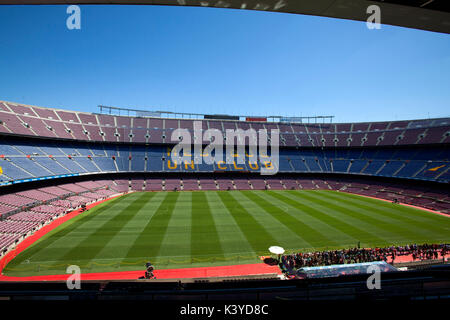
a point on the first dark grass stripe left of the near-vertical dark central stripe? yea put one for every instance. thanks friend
(149, 241)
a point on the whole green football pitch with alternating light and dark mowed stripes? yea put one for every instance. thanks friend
(207, 228)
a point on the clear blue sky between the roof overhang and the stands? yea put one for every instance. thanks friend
(207, 60)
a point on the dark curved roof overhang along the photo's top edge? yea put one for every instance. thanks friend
(431, 15)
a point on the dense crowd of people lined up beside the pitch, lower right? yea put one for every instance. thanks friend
(359, 255)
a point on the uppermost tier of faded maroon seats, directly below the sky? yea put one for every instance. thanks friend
(52, 123)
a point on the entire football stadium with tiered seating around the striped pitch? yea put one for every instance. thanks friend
(111, 194)
